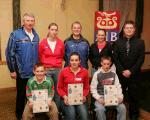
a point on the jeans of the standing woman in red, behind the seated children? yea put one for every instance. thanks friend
(54, 74)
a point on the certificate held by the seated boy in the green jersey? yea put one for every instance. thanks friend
(40, 101)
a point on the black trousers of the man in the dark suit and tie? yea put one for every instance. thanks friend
(130, 88)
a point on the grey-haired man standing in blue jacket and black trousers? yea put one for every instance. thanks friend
(21, 56)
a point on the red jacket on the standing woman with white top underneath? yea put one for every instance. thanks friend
(47, 57)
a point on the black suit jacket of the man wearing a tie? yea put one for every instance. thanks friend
(131, 61)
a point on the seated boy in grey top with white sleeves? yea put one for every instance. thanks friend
(105, 76)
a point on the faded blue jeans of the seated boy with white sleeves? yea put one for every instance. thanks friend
(100, 111)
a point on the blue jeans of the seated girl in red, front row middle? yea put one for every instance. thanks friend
(74, 111)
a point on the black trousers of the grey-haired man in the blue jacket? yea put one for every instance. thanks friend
(21, 95)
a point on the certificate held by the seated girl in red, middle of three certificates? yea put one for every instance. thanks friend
(75, 94)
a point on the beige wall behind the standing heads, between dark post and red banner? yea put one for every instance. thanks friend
(48, 11)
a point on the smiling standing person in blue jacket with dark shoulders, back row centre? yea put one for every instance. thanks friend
(77, 43)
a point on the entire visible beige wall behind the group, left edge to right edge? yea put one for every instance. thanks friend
(47, 11)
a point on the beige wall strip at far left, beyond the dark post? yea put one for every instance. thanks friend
(5, 29)
